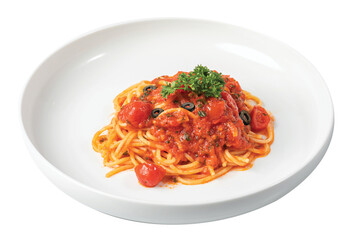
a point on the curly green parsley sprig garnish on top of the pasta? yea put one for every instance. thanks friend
(200, 81)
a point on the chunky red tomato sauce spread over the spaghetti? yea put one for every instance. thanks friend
(218, 125)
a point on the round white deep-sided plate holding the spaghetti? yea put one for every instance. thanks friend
(70, 95)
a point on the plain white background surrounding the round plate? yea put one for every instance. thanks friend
(32, 207)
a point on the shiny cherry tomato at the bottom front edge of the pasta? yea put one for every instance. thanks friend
(149, 174)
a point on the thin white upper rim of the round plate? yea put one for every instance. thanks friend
(323, 143)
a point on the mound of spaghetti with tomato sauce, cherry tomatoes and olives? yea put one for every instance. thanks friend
(189, 137)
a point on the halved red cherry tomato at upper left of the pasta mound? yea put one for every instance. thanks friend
(135, 113)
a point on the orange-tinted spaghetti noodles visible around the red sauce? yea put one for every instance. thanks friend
(123, 146)
